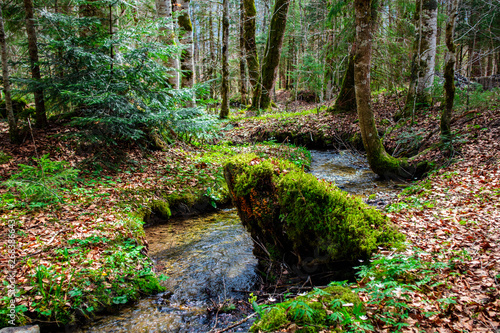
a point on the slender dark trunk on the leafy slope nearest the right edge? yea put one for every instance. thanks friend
(449, 74)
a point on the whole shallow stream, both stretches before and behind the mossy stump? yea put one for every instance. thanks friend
(209, 259)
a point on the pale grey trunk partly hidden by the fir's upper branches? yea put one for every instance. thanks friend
(167, 37)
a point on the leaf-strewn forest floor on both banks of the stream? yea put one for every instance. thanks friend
(78, 253)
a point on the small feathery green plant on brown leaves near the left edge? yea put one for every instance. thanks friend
(42, 182)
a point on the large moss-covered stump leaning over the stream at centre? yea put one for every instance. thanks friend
(305, 222)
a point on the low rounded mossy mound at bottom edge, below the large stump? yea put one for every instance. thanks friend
(328, 309)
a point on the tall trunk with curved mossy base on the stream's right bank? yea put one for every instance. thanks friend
(380, 162)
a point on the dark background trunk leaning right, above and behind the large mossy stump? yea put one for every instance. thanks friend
(262, 96)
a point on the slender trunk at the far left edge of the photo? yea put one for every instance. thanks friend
(13, 131)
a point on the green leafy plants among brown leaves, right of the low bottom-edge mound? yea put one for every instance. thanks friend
(391, 283)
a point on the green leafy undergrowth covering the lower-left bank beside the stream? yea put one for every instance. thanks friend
(83, 276)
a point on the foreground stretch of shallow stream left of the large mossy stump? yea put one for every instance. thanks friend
(206, 258)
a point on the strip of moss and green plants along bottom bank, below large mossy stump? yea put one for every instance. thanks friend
(388, 285)
